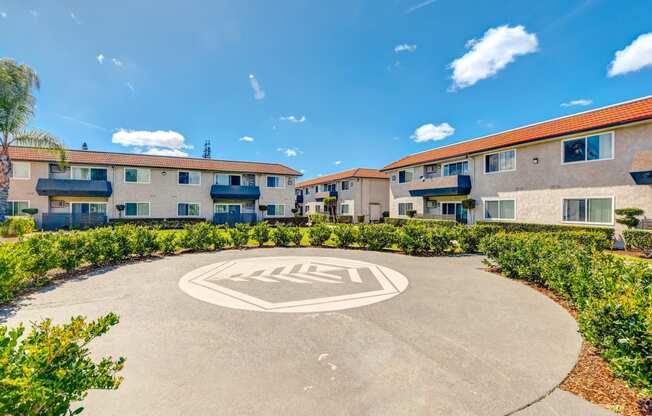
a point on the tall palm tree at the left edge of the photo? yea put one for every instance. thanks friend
(17, 105)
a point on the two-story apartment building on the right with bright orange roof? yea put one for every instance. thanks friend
(570, 170)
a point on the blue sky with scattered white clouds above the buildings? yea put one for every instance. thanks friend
(320, 86)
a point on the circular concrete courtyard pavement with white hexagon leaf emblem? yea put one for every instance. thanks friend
(453, 340)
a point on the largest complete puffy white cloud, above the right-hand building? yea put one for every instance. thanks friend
(498, 47)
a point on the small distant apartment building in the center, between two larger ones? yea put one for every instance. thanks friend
(359, 192)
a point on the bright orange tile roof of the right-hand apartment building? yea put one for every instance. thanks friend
(618, 114)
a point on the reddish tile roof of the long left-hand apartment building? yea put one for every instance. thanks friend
(126, 159)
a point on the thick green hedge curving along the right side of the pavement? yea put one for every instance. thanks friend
(613, 297)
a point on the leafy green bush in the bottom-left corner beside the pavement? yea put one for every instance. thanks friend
(48, 369)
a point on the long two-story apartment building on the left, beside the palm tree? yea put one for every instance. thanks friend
(103, 185)
